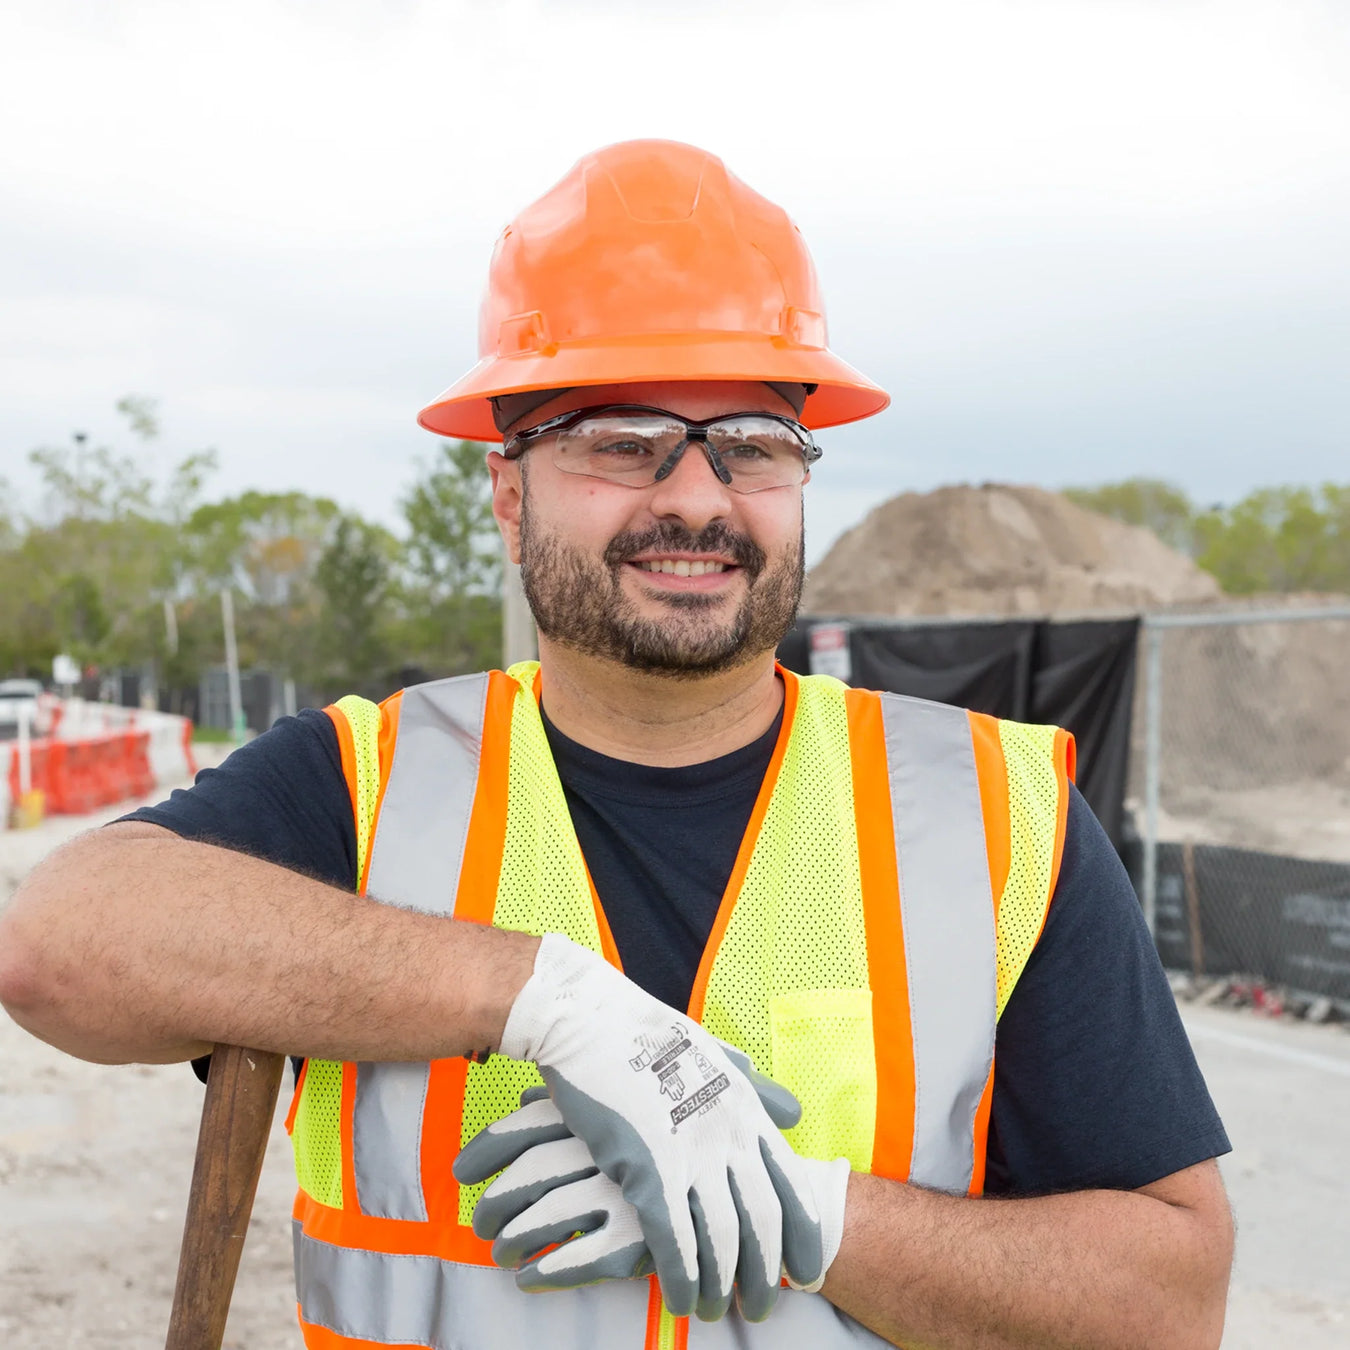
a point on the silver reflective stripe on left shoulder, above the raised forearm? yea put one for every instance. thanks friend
(419, 844)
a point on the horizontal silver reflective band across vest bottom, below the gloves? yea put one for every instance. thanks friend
(448, 1306)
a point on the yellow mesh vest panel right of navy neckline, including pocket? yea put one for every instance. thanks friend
(790, 979)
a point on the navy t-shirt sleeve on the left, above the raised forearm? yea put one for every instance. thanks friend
(283, 797)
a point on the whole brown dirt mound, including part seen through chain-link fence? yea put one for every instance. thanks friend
(1256, 718)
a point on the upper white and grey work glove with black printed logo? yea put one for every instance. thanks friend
(669, 1118)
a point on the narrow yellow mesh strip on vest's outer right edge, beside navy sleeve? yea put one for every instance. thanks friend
(1033, 819)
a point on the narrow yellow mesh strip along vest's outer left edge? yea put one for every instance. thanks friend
(317, 1136)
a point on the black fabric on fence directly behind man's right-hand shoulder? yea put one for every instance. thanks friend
(1078, 676)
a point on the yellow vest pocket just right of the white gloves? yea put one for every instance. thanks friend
(824, 1052)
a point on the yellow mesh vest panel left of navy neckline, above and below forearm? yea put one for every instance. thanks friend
(543, 889)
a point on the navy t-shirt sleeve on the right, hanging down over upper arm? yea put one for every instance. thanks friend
(1096, 1085)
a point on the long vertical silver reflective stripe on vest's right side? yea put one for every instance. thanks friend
(947, 908)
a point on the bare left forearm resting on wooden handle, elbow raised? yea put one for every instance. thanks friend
(132, 944)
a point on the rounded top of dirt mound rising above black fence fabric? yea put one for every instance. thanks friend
(998, 550)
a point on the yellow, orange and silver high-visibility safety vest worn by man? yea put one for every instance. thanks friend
(890, 888)
